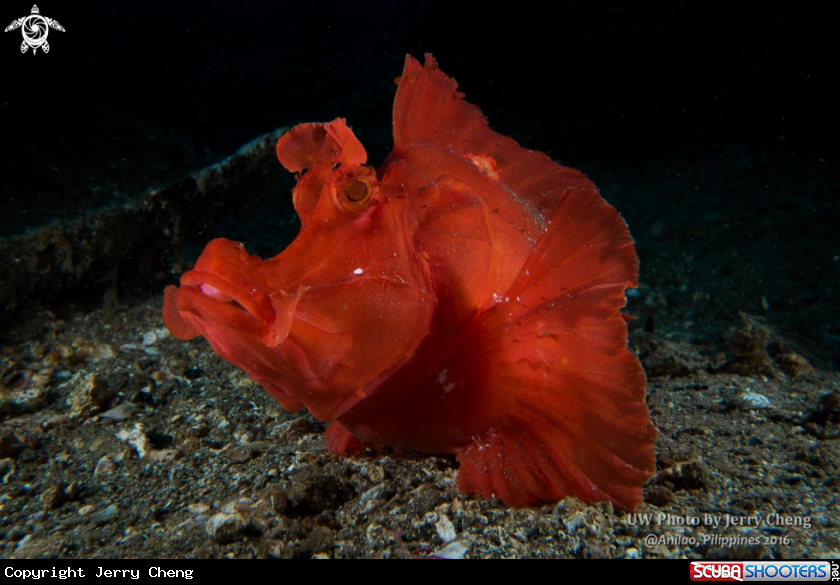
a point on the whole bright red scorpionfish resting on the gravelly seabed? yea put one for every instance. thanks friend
(464, 298)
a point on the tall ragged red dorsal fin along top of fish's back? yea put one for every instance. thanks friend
(429, 111)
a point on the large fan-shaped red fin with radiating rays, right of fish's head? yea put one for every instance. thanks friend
(565, 412)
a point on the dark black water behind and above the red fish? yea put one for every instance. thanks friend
(712, 129)
